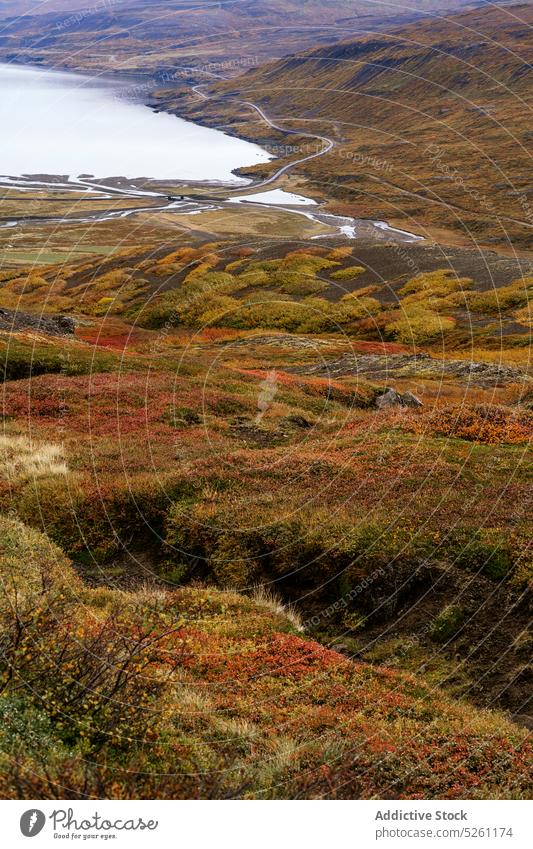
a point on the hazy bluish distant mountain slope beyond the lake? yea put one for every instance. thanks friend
(153, 35)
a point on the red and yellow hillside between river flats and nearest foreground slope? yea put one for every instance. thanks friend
(223, 418)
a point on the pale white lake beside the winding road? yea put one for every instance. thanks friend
(56, 123)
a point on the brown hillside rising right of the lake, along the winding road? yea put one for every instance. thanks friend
(428, 122)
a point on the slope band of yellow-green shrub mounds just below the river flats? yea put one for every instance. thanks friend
(448, 301)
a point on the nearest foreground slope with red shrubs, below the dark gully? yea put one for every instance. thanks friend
(234, 702)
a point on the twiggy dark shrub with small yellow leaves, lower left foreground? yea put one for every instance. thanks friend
(110, 688)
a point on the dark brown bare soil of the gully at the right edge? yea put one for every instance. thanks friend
(490, 648)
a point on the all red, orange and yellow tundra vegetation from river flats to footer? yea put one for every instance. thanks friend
(226, 570)
